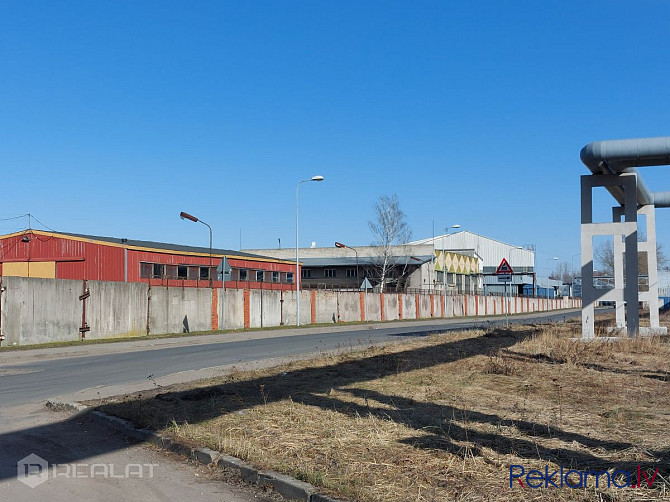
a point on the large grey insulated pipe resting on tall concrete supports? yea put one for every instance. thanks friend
(619, 156)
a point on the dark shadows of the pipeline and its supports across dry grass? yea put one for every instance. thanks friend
(447, 425)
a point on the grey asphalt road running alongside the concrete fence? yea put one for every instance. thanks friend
(29, 380)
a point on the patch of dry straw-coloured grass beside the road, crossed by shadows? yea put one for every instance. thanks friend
(440, 418)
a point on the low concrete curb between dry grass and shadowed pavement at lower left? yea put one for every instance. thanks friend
(287, 486)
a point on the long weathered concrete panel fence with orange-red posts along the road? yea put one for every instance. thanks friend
(48, 310)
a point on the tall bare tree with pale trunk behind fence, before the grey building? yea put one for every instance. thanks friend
(389, 229)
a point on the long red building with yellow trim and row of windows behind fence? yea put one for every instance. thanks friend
(57, 255)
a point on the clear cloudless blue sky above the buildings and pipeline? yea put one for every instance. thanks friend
(116, 115)
